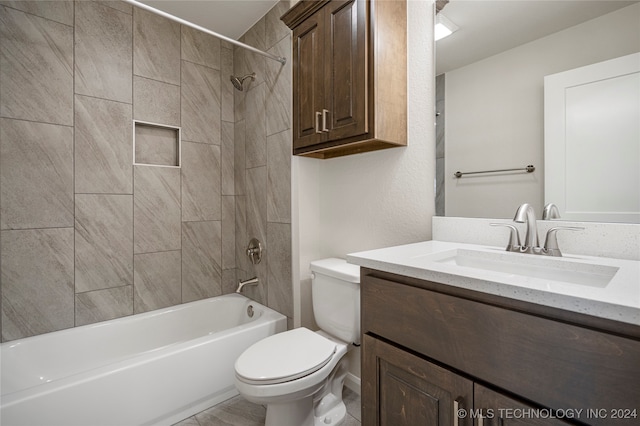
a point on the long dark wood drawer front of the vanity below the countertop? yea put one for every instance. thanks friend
(558, 365)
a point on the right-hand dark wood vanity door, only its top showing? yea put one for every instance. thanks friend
(500, 410)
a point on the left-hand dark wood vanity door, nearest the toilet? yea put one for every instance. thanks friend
(402, 389)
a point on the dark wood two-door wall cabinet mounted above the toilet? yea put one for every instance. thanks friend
(349, 76)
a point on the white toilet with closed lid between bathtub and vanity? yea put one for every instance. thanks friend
(299, 374)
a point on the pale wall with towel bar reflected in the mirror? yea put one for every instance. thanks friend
(494, 119)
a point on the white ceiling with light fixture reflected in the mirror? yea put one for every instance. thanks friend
(488, 27)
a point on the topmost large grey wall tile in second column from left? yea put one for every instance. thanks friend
(103, 55)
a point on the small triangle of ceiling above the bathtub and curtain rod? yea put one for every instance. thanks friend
(231, 18)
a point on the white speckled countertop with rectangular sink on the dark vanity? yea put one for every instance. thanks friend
(611, 289)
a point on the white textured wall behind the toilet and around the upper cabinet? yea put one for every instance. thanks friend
(376, 199)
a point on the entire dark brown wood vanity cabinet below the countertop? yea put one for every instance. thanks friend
(434, 354)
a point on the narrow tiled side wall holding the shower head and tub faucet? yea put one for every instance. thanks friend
(263, 159)
